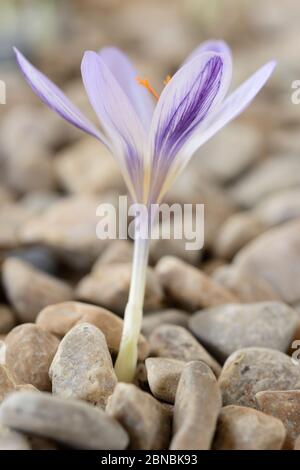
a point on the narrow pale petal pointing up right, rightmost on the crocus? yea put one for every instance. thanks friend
(232, 106)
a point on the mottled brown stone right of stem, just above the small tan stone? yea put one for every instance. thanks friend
(175, 342)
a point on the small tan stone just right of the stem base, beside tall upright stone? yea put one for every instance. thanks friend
(163, 376)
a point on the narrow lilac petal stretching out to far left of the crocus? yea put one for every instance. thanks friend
(53, 97)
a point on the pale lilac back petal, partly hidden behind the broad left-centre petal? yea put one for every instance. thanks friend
(124, 73)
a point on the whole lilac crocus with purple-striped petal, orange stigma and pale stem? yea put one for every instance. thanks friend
(152, 142)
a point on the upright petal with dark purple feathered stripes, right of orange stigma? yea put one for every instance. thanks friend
(187, 101)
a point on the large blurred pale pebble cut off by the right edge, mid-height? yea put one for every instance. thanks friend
(281, 271)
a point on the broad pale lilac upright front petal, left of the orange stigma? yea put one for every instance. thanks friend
(117, 116)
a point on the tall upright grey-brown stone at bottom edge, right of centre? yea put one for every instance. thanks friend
(197, 405)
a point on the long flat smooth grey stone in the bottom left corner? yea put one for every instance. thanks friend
(71, 422)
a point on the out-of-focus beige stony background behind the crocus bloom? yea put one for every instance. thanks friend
(52, 176)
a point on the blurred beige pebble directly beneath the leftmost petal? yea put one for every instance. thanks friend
(86, 167)
